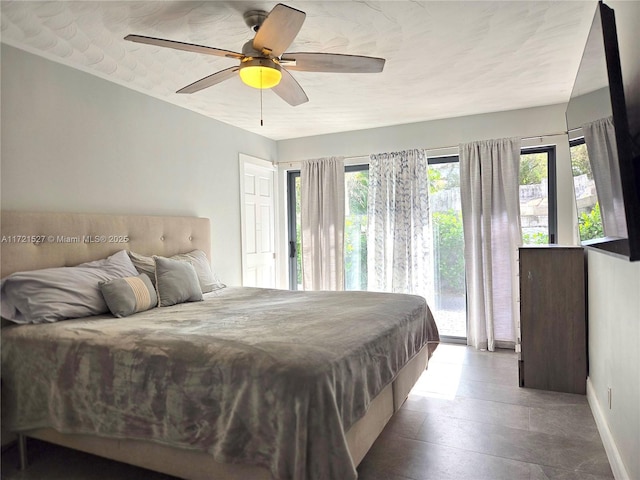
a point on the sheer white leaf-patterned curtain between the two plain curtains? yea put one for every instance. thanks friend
(399, 245)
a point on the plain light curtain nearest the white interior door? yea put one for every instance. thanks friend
(322, 218)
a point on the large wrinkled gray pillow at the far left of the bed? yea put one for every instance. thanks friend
(54, 294)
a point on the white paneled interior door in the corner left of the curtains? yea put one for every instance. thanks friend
(258, 222)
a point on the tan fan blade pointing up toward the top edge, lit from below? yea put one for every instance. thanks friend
(278, 30)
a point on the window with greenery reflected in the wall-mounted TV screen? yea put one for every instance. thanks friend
(589, 220)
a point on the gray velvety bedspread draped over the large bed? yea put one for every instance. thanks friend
(267, 377)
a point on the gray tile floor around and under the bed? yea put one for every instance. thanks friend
(465, 419)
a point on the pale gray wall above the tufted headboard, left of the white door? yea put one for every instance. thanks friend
(74, 142)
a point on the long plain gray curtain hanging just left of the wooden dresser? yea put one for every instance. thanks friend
(489, 182)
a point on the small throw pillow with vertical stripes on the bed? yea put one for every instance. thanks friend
(129, 295)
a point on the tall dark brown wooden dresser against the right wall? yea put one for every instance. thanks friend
(553, 335)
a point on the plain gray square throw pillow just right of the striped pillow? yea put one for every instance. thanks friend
(176, 282)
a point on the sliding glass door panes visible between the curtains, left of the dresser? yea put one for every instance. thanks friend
(448, 304)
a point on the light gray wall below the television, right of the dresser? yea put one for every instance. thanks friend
(614, 357)
